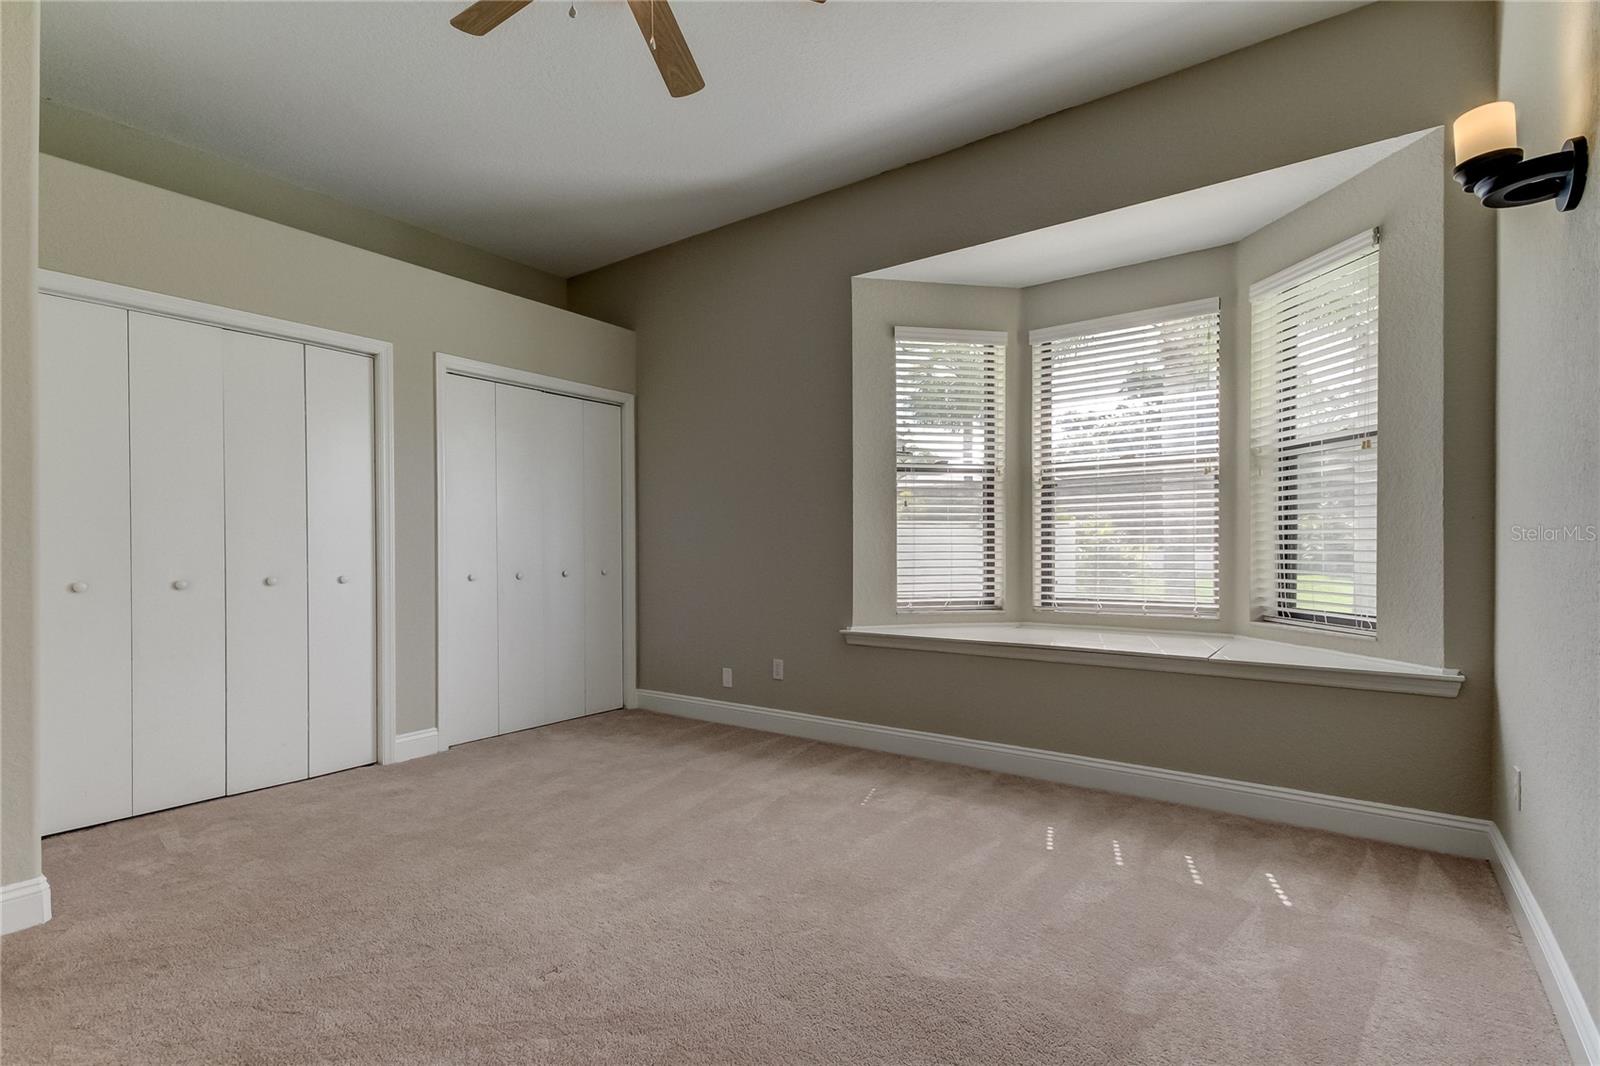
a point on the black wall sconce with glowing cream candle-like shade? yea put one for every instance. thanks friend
(1490, 166)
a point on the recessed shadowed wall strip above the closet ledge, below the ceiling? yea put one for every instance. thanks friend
(106, 145)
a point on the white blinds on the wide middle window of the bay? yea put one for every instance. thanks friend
(1126, 463)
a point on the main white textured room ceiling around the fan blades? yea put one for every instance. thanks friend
(554, 142)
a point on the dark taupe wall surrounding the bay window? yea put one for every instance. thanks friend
(746, 422)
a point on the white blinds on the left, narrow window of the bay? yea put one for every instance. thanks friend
(950, 415)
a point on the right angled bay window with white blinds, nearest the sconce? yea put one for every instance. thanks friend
(1314, 441)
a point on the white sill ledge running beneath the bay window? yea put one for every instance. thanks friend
(1218, 655)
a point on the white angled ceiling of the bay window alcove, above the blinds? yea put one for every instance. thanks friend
(1156, 230)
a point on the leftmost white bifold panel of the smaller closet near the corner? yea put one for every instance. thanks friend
(470, 675)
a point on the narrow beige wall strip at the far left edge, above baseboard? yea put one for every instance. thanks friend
(18, 252)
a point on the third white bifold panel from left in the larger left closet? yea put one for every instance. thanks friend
(265, 459)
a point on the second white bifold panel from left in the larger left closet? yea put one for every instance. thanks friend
(175, 403)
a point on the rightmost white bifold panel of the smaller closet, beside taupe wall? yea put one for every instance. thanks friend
(604, 566)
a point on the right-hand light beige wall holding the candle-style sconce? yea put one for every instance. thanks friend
(1546, 644)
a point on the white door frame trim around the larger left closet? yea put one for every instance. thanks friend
(383, 356)
